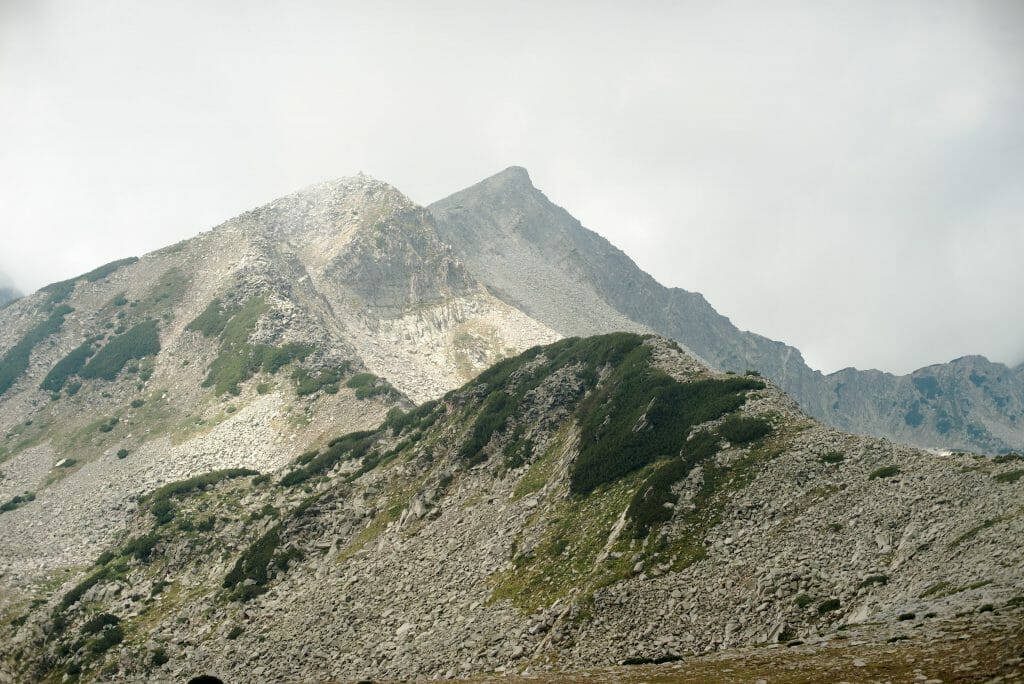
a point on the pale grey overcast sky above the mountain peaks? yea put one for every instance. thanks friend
(845, 177)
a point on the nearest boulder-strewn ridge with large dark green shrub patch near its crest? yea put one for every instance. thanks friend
(588, 503)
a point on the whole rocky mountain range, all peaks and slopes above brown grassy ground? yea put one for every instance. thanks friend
(400, 443)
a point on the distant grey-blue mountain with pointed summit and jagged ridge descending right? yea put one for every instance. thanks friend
(536, 256)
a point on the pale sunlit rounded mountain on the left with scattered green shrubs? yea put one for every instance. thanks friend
(309, 317)
